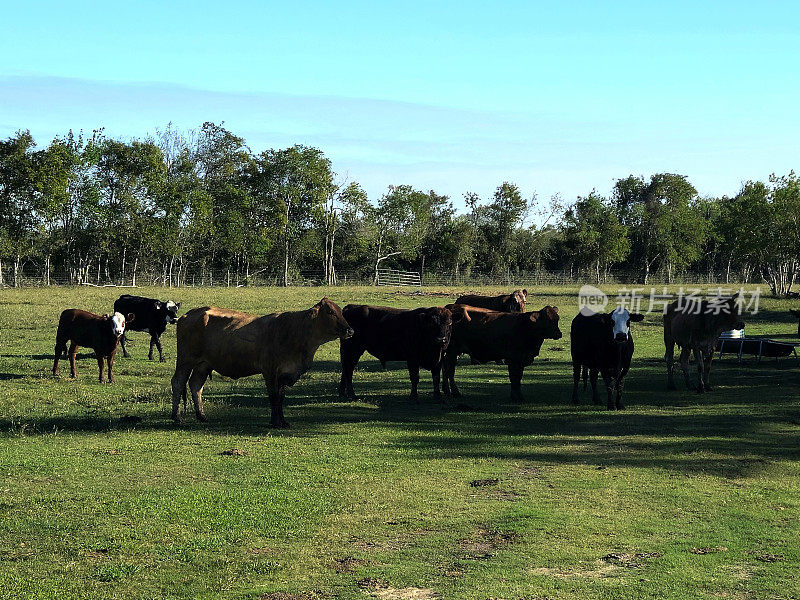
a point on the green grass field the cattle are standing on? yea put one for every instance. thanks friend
(679, 496)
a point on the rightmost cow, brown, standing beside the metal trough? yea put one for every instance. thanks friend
(695, 326)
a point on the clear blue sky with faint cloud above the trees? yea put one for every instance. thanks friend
(454, 96)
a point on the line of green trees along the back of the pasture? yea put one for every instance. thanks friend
(202, 203)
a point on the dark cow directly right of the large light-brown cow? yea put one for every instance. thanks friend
(418, 337)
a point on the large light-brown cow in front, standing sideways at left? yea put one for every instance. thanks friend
(280, 346)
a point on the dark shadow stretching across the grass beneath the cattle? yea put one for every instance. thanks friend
(752, 420)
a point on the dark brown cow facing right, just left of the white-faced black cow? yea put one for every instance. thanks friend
(488, 335)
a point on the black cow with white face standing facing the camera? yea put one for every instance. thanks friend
(602, 342)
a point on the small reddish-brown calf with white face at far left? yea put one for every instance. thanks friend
(99, 332)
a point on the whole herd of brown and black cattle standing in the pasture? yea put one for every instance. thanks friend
(281, 346)
